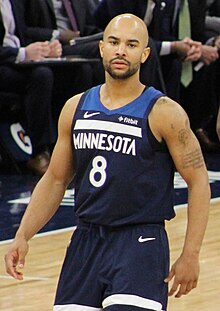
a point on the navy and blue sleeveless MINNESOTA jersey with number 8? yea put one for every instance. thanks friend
(120, 178)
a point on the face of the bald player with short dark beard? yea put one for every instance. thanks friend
(123, 49)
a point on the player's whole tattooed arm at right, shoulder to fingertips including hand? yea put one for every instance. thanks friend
(188, 159)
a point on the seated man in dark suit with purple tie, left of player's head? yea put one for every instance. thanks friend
(51, 19)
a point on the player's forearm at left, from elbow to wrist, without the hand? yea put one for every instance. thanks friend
(44, 202)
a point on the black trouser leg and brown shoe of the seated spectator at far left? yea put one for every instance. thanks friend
(35, 88)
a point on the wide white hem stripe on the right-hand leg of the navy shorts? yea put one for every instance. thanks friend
(132, 300)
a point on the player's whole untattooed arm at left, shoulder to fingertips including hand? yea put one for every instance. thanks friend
(47, 194)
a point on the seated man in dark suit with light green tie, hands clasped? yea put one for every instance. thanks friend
(197, 96)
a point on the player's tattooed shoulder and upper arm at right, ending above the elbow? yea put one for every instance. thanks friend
(169, 122)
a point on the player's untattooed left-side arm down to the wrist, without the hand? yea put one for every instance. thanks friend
(49, 191)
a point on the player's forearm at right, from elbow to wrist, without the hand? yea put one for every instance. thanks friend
(198, 210)
